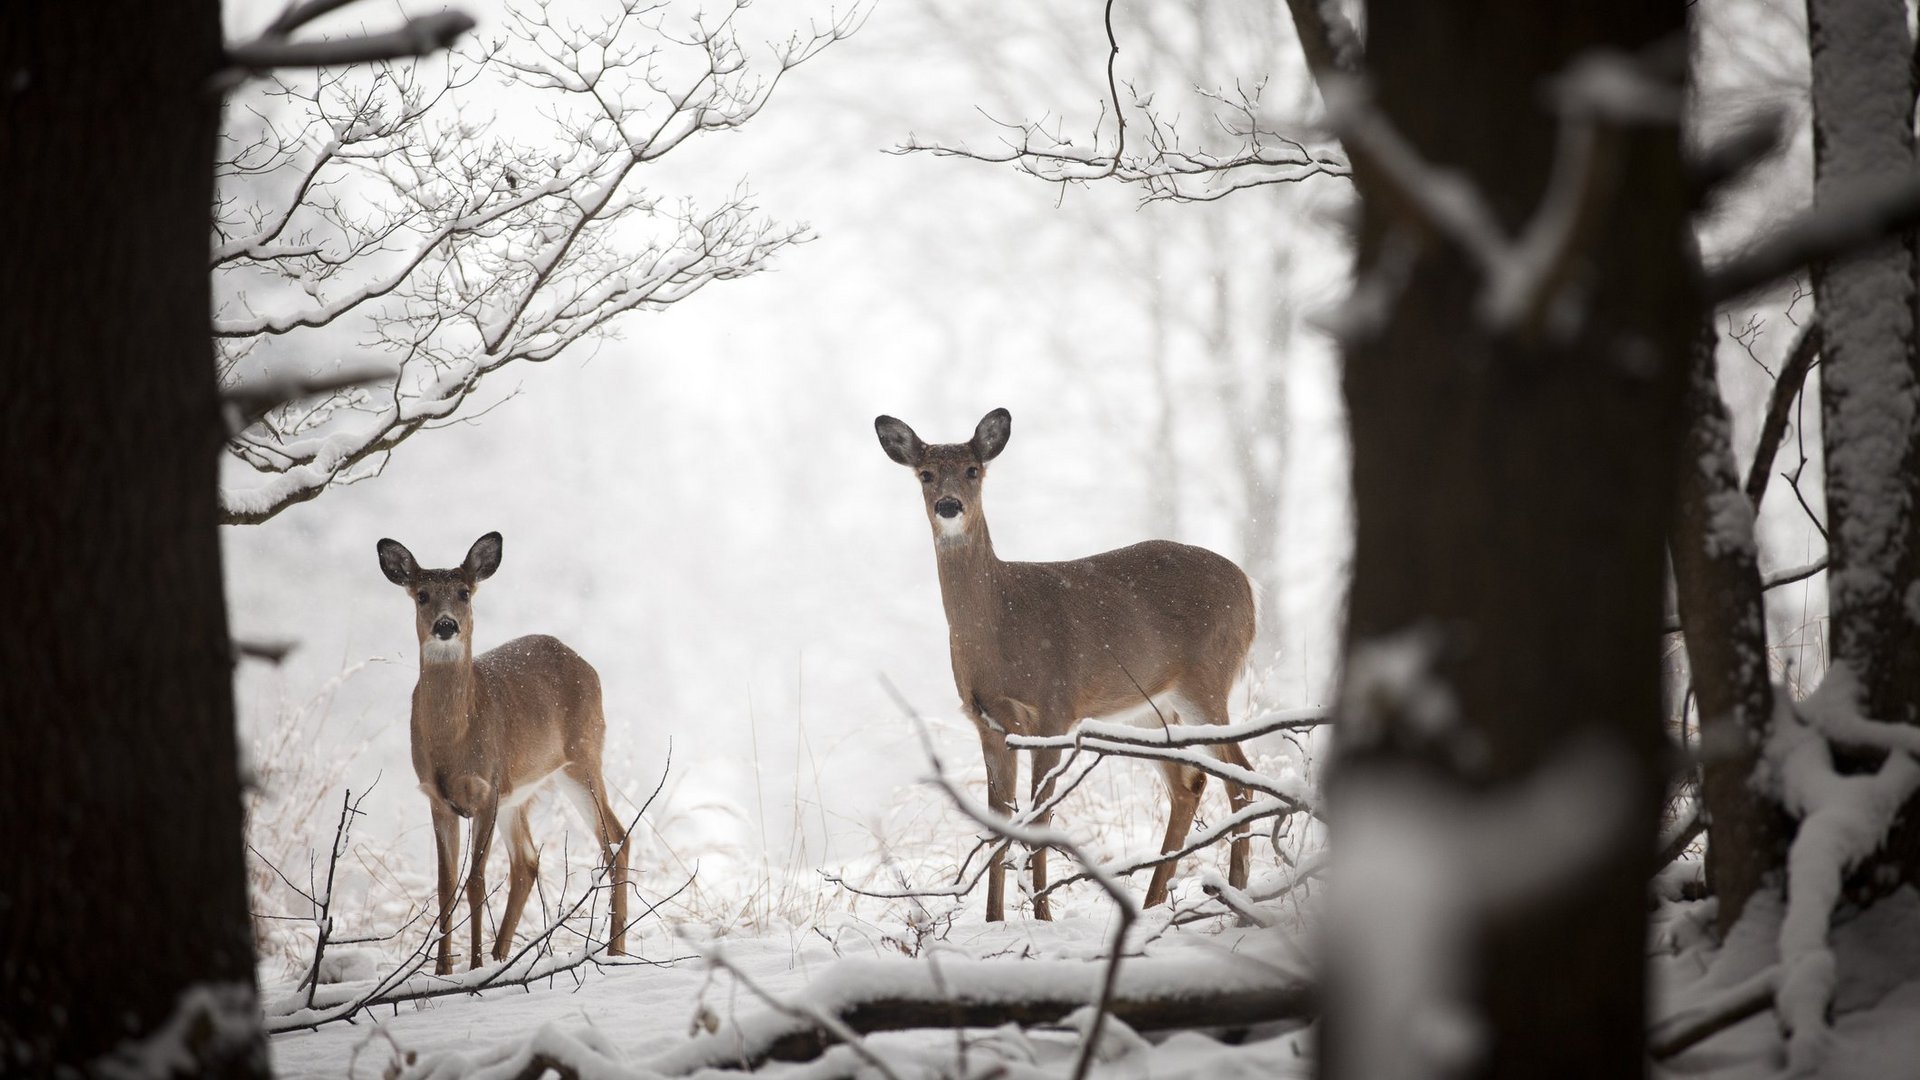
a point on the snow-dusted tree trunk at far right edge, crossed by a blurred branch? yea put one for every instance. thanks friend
(1869, 395)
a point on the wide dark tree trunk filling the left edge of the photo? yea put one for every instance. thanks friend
(124, 923)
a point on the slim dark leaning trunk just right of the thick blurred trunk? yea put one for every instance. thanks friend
(1721, 612)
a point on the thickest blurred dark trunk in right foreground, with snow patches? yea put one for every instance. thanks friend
(1512, 503)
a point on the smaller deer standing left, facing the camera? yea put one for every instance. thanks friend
(491, 731)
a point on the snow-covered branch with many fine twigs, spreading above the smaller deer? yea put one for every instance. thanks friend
(370, 212)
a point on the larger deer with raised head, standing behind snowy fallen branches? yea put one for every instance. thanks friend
(1157, 631)
